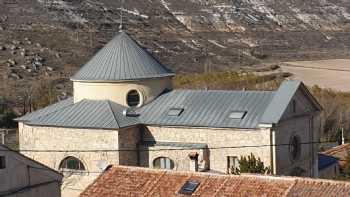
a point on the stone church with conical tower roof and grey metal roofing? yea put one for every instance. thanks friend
(124, 111)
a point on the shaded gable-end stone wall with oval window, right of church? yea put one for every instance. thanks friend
(298, 120)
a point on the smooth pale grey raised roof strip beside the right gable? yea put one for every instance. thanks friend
(280, 101)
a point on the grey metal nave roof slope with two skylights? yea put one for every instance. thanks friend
(207, 108)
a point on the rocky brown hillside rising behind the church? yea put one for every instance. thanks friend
(52, 38)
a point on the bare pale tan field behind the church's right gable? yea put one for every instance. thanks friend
(333, 73)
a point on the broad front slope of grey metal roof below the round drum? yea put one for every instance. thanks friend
(100, 114)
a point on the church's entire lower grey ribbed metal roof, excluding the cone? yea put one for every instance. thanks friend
(199, 108)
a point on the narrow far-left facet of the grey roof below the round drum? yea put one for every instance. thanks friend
(47, 110)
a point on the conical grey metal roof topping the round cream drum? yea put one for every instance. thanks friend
(121, 59)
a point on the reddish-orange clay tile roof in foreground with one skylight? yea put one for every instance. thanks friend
(136, 181)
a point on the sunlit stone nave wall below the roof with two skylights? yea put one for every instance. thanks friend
(213, 138)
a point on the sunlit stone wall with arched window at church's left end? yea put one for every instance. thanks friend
(61, 139)
